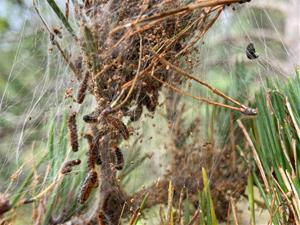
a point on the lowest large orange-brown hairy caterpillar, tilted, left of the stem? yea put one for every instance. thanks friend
(89, 183)
